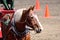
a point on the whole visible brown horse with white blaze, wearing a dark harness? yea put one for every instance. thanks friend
(17, 30)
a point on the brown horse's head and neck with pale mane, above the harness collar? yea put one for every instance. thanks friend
(24, 17)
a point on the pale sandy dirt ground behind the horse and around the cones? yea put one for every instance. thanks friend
(51, 25)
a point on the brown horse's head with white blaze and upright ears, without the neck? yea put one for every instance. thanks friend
(33, 21)
